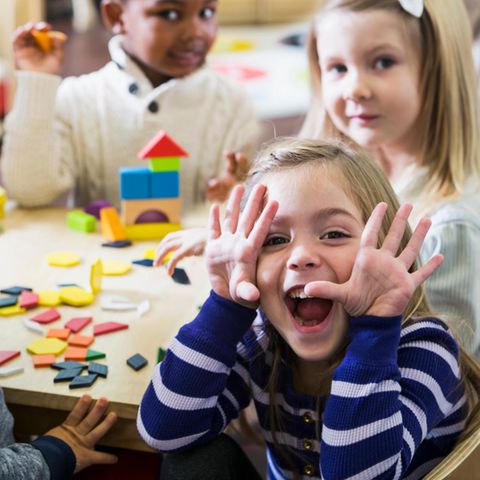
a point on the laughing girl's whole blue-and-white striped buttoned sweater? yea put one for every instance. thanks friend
(395, 395)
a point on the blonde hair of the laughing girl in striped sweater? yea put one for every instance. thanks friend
(366, 185)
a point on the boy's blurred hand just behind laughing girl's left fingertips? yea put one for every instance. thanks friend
(234, 171)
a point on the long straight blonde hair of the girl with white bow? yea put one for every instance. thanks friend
(450, 148)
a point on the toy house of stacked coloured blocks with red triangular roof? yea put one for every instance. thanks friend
(150, 196)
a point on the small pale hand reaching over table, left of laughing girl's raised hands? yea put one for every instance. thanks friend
(181, 244)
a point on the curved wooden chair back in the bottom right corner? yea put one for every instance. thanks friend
(463, 463)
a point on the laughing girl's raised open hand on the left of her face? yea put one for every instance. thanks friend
(234, 245)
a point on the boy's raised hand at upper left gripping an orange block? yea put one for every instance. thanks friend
(31, 54)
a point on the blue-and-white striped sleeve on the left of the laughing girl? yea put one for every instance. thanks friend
(198, 388)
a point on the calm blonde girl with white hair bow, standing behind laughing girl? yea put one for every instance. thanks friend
(397, 78)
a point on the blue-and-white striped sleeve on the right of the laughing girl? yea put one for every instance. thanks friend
(392, 391)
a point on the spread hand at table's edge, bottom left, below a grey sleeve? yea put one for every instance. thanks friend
(83, 429)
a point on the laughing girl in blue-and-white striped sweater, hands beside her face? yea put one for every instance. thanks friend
(350, 374)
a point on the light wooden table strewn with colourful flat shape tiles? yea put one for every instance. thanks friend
(36, 402)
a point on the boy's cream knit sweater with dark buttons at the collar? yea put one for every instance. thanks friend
(77, 133)
